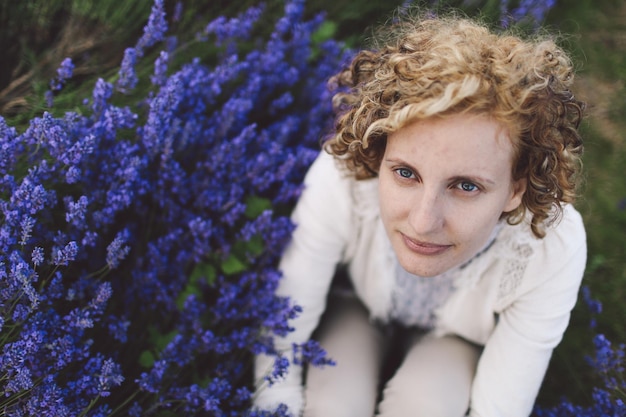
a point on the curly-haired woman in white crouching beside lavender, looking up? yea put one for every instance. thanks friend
(445, 192)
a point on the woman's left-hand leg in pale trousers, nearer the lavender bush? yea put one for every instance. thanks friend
(349, 388)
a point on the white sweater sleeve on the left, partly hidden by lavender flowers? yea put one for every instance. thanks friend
(323, 226)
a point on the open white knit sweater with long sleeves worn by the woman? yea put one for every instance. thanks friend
(515, 299)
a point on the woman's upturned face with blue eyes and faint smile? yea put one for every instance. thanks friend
(443, 184)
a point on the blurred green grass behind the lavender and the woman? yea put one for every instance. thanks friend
(36, 35)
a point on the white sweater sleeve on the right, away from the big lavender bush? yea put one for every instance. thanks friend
(517, 353)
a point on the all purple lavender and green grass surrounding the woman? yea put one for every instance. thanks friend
(147, 175)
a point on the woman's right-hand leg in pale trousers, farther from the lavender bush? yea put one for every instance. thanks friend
(434, 380)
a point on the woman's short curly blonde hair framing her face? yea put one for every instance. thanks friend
(438, 66)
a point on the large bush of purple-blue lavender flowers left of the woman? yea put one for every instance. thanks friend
(140, 241)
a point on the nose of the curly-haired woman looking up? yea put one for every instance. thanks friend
(427, 212)
